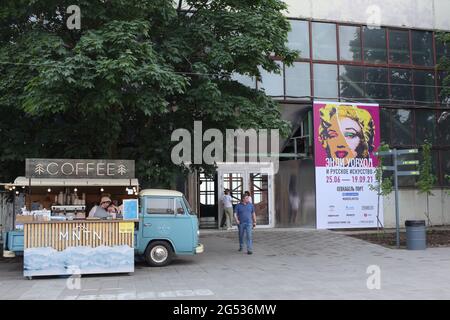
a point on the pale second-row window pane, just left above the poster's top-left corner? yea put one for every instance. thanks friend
(298, 82)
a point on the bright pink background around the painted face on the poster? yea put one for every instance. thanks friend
(320, 154)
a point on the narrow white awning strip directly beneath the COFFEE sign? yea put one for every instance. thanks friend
(35, 182)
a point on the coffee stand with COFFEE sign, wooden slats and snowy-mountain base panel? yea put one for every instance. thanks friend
(54, 228)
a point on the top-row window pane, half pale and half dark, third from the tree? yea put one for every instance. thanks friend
(350, 43)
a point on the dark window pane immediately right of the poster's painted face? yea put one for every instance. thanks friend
(402, 128)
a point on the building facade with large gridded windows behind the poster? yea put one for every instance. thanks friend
(377, 51)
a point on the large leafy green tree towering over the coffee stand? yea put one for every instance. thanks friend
(137, 70)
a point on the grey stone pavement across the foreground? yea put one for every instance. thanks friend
(286, 264)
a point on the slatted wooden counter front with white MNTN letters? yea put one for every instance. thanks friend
(60, 235)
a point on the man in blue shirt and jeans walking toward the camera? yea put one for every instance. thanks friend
(246, 220)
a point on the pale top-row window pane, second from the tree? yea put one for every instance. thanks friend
(324, 41)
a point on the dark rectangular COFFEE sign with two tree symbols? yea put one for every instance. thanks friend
(79, 169)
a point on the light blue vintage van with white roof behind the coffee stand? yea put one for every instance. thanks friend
(167, 227)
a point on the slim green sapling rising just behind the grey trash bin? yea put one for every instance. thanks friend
(427, 179)
